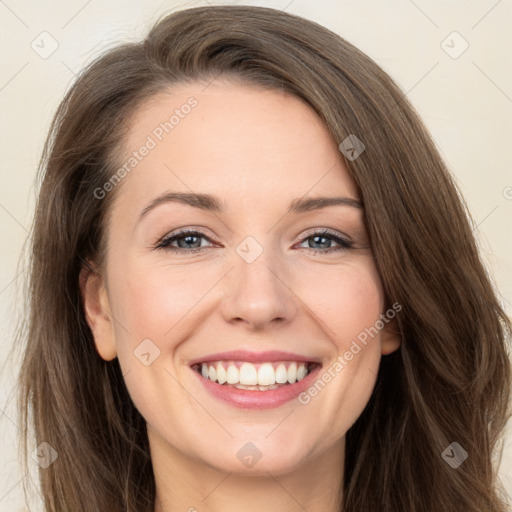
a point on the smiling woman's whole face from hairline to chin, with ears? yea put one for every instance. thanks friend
(281, 286)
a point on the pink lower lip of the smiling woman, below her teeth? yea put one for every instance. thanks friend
(252, 399)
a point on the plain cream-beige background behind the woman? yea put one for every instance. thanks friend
(466, 102)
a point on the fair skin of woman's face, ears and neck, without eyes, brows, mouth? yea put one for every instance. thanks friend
(256, 150)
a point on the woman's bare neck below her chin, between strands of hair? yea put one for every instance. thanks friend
(190, 485)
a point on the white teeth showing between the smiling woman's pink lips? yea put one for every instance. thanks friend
(255, 376)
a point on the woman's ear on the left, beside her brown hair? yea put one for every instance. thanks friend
(97, 311)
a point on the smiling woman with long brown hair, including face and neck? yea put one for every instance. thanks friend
(255, 287)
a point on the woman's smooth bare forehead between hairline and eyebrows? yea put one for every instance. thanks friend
(233, 141)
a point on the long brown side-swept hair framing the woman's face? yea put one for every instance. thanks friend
(449, 381)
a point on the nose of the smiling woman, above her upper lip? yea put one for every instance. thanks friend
(257, 295)
